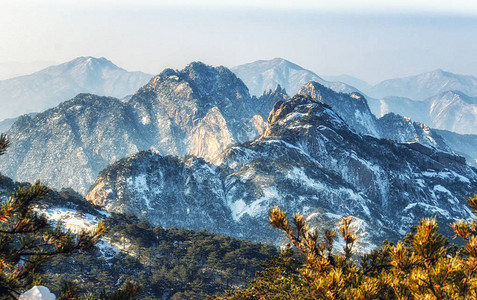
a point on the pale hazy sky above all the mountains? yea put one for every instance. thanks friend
(373, 40)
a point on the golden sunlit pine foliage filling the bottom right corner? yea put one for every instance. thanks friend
(424, 265)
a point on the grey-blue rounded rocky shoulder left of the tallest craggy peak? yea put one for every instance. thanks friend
(67, 146)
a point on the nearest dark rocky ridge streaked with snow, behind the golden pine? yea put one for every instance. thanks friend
(308, 161)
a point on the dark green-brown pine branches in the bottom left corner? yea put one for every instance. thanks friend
(27, 240)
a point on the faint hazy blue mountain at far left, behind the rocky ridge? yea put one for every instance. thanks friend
(47, 88)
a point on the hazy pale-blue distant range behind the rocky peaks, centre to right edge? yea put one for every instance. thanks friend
(438, 99)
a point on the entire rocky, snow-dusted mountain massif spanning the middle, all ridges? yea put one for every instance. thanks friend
(192, 148)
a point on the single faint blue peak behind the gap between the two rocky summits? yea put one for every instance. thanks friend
(263, 75)
